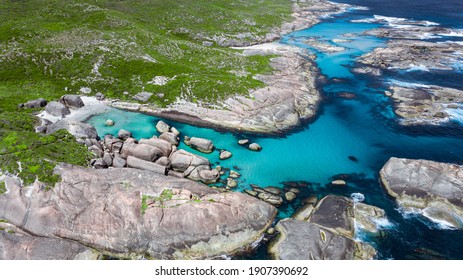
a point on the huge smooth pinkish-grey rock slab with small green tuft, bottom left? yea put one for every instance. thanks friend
(127, 213)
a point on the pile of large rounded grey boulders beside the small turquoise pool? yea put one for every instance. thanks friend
(156, 154)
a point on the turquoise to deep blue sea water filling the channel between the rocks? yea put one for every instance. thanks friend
(364, 129)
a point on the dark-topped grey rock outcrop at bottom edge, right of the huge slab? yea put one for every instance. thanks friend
(327, 231)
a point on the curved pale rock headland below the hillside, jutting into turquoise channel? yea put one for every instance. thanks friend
(290, 96)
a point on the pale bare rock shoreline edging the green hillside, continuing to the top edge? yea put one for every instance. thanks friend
(290, 96)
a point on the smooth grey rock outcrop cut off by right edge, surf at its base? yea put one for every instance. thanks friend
(434, 188)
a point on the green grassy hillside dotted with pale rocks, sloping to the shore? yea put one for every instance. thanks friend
(120, 48)
